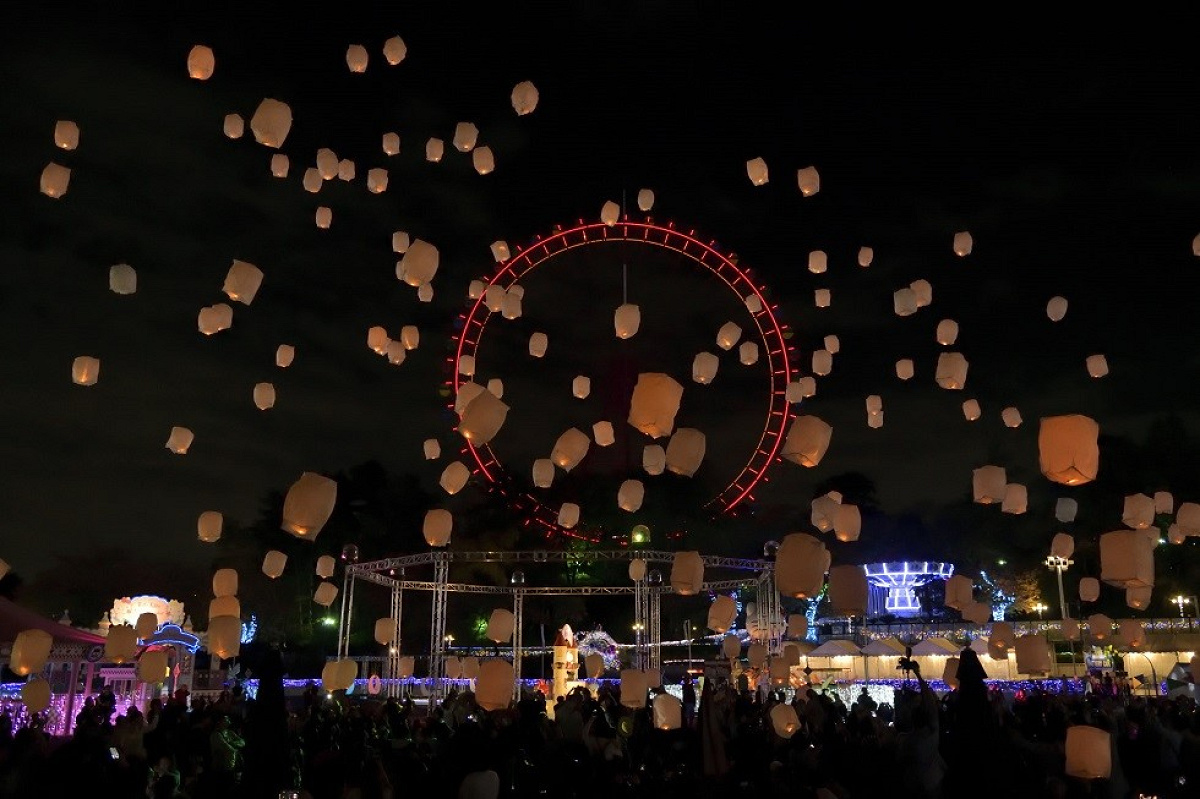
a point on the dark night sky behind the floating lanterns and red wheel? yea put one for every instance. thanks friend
(1075, 169)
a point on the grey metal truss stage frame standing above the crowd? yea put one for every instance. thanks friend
(647, 593)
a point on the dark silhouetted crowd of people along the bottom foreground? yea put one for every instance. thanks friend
(973, 742)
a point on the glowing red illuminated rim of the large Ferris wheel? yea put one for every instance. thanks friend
(772, 335)
